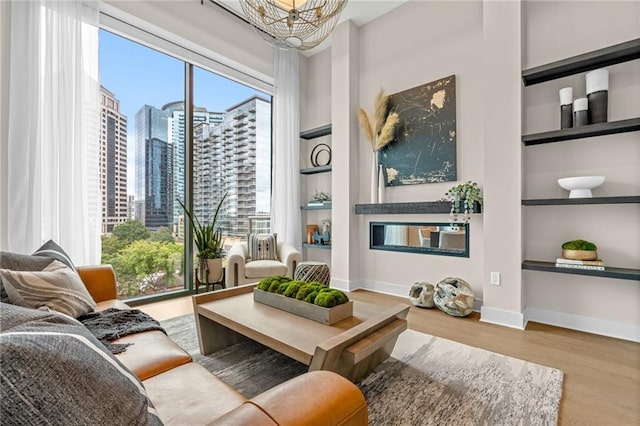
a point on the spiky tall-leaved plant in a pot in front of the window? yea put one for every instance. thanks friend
(208, 240)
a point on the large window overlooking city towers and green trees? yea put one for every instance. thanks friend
(145, 141)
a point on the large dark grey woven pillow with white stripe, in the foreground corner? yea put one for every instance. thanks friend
(55, 372)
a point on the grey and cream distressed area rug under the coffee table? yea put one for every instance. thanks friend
(427, 381)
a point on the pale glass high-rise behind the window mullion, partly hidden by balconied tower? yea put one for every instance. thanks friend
(177, 138)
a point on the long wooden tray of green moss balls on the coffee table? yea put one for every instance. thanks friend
(314, 301)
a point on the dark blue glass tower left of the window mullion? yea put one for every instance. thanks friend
(154, 169)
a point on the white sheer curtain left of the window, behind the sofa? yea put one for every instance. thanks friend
(53, 139)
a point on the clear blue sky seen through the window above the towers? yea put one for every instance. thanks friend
(138, 75)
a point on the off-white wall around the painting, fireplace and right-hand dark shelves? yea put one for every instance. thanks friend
(486, 47)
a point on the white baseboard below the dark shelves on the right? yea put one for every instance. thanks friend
(619, 330)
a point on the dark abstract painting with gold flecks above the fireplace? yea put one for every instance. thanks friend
(424, 148)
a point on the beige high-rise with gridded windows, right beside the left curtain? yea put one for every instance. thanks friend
(113, 162)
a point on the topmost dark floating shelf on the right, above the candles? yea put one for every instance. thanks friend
(611, 55)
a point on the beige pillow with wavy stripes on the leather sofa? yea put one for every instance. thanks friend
(56, 287)
